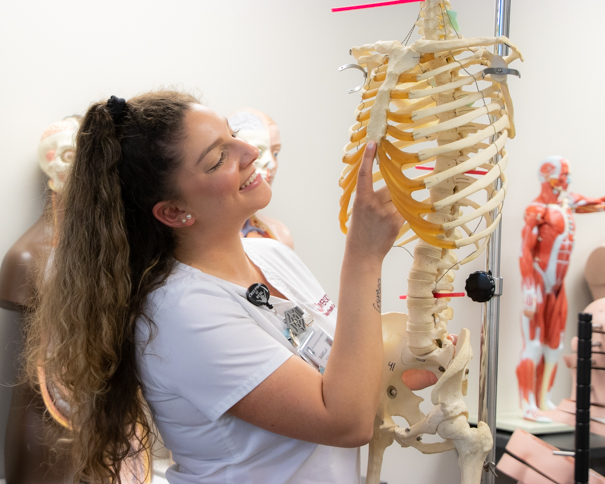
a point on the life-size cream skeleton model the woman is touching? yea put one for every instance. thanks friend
(425, 109)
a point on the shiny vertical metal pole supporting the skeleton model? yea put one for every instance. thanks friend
(491, 313)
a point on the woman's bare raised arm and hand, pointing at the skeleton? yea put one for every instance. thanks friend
(338, 408)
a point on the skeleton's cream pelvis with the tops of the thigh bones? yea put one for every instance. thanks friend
(448, 416)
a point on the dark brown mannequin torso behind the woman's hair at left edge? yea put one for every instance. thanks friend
(28, 460)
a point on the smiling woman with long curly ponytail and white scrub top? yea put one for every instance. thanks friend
(147, 291)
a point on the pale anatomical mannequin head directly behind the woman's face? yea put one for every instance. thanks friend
(259, 130)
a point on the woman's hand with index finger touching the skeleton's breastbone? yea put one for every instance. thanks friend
(375, 222)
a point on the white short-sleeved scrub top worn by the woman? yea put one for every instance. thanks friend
(211, 348)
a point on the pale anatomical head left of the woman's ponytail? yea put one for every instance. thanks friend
(57, 149)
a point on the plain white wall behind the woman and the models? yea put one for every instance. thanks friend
(282, 58)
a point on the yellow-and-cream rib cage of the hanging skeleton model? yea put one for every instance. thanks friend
(419, 107)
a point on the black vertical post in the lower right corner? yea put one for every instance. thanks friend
(582, 459)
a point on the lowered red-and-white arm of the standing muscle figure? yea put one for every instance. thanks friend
(534, 216)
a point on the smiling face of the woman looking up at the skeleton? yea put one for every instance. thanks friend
(217, 181)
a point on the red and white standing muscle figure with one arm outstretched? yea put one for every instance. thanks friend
(548, 237)
